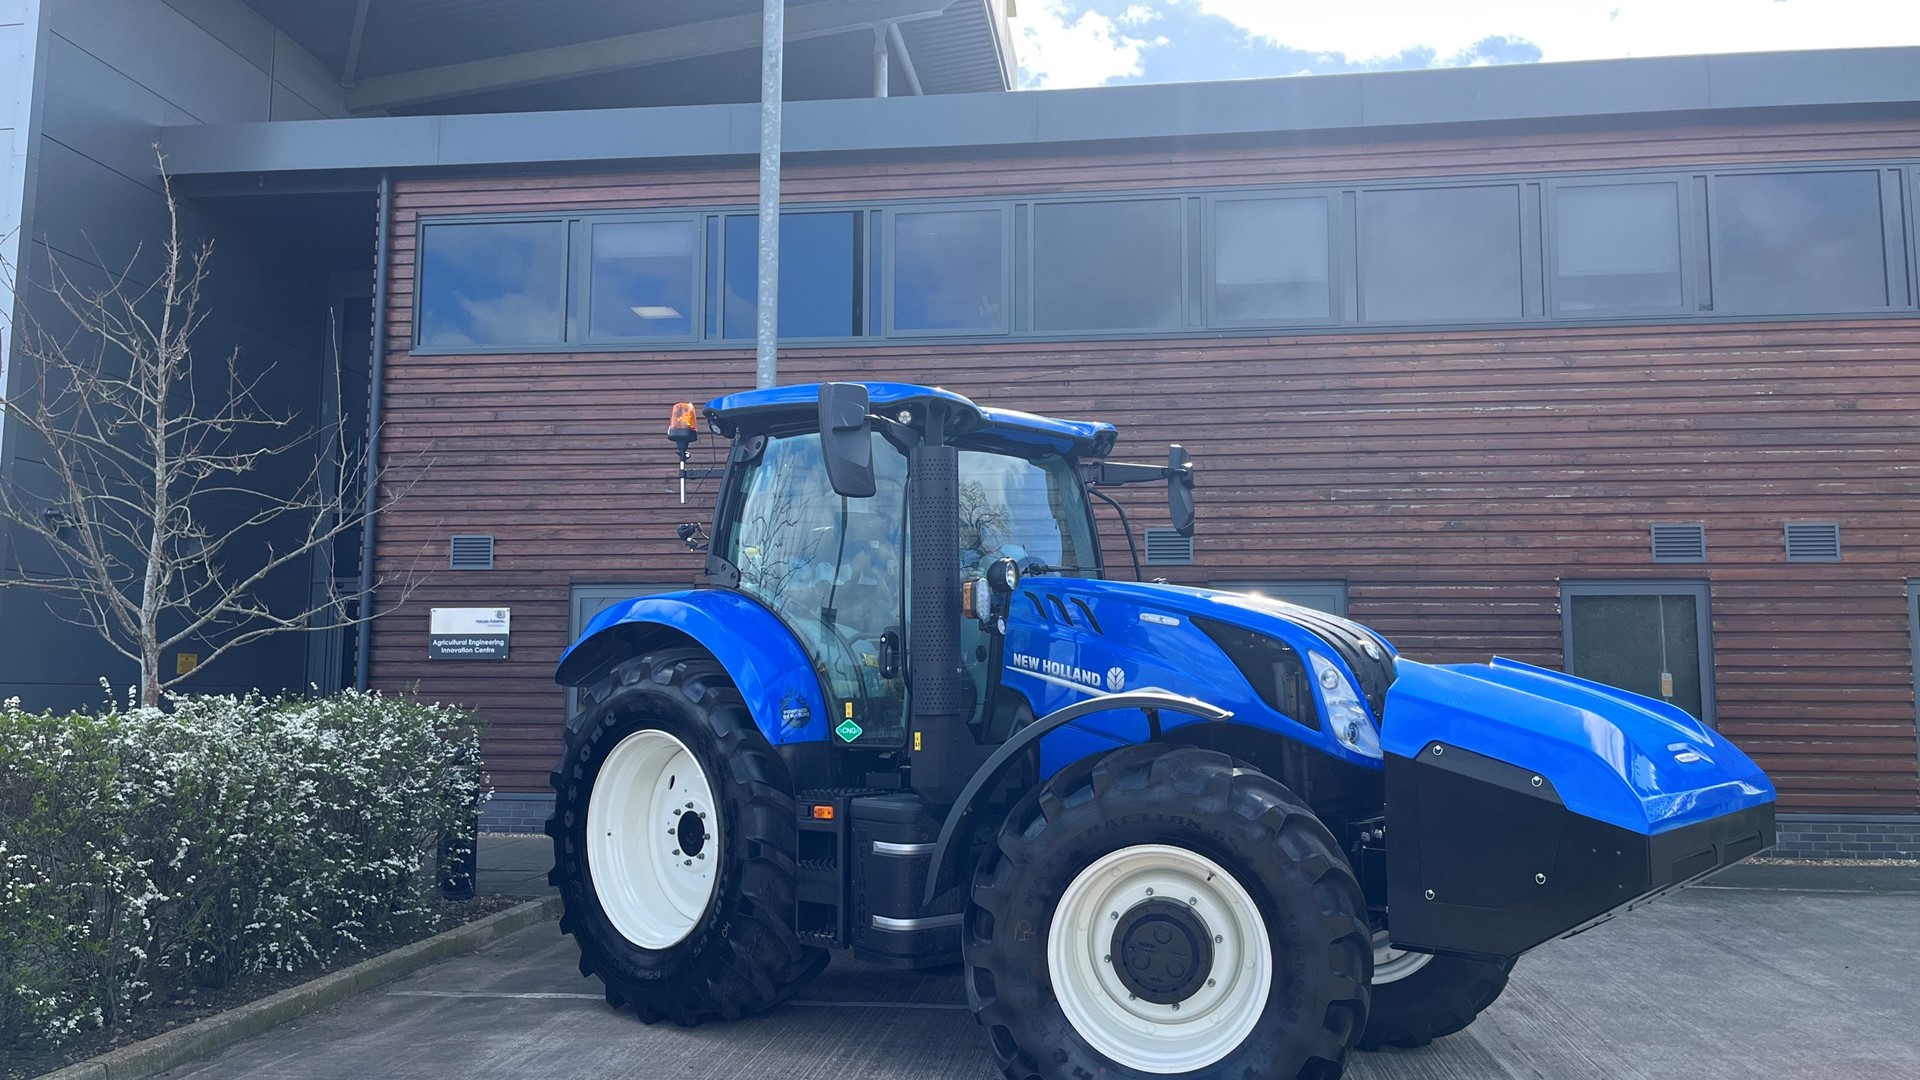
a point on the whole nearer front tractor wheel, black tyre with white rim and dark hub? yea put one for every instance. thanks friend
(1166, 912)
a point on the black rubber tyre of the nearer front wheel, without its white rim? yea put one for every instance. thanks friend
(1201, 802)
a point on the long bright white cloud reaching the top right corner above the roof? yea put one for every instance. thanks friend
(1572, 30)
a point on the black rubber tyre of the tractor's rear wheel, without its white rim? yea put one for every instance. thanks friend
(742, 954)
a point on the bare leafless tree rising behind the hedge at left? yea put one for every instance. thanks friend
(155, 499)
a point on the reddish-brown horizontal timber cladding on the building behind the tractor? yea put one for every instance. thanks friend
(1452, 479)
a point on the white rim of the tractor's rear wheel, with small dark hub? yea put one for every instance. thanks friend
(654, 839)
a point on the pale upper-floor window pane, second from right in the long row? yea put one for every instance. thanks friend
(1618, 249)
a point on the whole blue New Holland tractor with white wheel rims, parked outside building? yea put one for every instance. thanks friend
(1161, 831)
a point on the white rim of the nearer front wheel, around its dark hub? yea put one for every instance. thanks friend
(1141, 1035)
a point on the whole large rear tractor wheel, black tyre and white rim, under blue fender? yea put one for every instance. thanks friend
(673, 845)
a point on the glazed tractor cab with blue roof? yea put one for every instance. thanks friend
(815, 524)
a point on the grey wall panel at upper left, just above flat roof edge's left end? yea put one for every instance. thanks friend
(162, 49)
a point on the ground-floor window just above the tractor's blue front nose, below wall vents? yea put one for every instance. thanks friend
(1652, 639)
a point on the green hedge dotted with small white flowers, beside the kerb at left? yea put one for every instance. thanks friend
(147, 852)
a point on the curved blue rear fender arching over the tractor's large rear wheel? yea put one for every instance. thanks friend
(757, 650)
